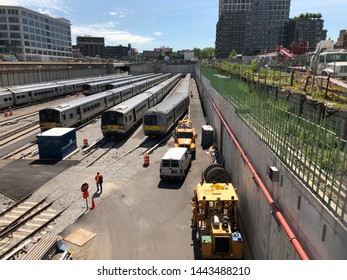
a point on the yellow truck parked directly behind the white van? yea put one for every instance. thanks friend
(184, 136)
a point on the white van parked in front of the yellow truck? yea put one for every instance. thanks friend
(175, 163)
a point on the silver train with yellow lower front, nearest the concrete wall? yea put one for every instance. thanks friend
(158, 120)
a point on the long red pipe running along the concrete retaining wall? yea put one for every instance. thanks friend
(268, 197)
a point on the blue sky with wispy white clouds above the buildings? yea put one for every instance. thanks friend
(178, 24)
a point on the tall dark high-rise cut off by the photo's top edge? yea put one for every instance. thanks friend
(250, 26)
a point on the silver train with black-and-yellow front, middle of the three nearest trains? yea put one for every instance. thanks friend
(120, 119)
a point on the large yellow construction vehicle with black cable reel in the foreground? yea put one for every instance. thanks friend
(215, 218)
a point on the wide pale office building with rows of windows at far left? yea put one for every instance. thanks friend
(32, 36)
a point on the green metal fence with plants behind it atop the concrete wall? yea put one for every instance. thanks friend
(314, 147)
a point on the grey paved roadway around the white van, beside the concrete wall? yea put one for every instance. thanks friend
(145, 218)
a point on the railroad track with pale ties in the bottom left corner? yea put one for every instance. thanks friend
(23, 222)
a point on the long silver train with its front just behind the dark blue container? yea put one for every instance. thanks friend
(77, 111)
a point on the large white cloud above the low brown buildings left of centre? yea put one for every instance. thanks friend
(111, 35)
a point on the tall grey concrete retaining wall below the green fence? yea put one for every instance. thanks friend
(319, 233)
